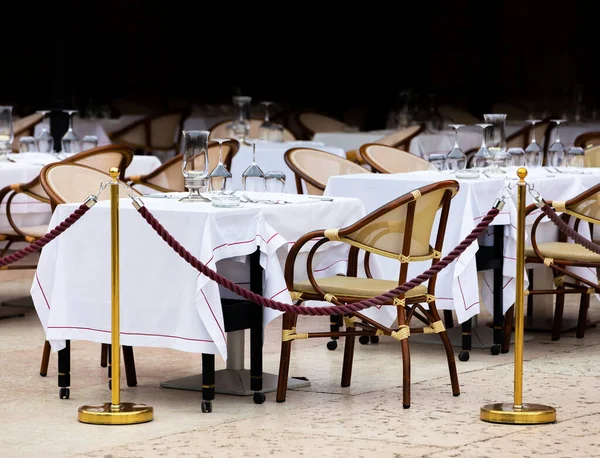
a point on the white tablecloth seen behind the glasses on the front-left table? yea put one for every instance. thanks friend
(269, 157)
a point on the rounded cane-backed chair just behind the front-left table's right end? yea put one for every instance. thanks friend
(313, 167)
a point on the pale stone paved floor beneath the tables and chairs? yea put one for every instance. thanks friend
(365, 419)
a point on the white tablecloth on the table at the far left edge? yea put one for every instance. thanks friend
(30, 212)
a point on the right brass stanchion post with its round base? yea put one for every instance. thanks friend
(518, 412)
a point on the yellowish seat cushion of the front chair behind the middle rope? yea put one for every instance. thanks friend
(355, 287)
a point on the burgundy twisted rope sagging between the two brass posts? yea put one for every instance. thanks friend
(331, 310)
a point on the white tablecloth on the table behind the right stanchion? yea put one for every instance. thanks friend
(456, 285)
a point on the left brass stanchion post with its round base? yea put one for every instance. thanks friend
(115, 412)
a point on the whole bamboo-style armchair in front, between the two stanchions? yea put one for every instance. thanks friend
(399, 230)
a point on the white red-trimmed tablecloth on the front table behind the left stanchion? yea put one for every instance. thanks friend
(164, 301)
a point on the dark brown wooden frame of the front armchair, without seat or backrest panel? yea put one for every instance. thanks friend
(407, 307)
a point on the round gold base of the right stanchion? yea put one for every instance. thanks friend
(529, 414)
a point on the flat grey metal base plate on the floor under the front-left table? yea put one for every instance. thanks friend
(236, 382)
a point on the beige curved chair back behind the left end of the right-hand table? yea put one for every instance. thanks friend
(386, 159)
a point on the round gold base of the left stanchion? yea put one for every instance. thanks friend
(128, 414)
